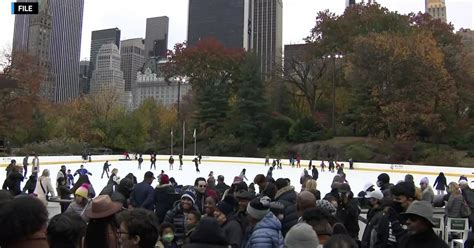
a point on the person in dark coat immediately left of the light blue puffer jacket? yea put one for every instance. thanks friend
(231, 227)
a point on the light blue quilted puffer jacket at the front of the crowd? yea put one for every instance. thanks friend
(266, 233)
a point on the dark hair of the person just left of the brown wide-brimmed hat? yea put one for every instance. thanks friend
(66, 230)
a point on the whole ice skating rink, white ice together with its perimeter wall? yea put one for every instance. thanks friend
(231, 167)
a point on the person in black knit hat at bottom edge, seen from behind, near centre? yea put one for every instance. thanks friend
(208, 234)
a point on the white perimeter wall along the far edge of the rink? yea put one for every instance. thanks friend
(371, 167)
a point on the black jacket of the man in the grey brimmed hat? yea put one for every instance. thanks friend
(427, 239)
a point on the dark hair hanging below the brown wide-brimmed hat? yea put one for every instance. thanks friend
(97, 231)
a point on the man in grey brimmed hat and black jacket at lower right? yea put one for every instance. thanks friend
(419, 222)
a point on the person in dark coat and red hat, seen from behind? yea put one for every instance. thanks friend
(165, 196)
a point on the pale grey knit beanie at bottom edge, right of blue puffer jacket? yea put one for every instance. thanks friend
(301, 235)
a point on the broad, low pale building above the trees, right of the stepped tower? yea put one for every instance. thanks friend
(149, 85)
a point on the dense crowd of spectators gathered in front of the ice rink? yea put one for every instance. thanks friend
(264, 213)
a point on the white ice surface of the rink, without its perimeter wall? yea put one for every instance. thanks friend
(356, 178)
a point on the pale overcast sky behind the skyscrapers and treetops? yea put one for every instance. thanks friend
(298, 17)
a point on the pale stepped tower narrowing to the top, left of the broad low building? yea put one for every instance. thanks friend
(107, 77)
